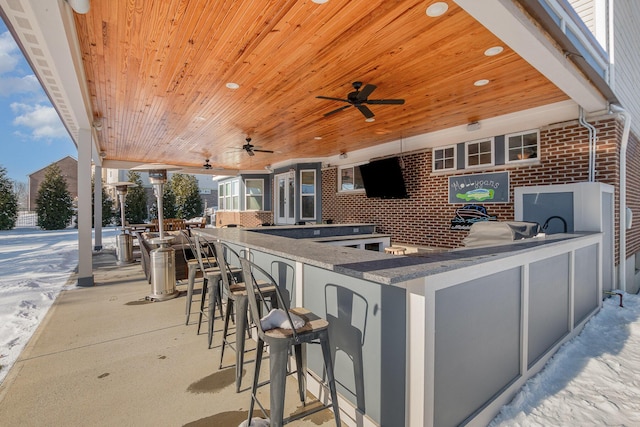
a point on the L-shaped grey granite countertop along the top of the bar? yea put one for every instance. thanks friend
(371, 265)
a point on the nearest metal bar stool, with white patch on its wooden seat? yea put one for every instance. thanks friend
(280, 340)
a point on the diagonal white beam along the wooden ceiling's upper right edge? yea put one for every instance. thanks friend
(511, 25)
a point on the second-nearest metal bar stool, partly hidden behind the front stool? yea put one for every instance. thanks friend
(236, 293)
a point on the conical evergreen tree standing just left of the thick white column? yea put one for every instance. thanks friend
(55, 206)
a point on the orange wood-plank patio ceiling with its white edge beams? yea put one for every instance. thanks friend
(150, 78)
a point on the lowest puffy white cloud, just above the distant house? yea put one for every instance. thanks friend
(42, 120)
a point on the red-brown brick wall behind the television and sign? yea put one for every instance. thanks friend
(425, 217)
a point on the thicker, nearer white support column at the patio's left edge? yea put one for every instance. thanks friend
(85, 255)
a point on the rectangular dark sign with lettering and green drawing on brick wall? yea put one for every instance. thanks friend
(482, 187)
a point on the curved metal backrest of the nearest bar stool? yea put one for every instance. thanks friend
(257, 298)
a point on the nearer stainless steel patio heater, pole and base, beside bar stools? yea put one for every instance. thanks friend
(163, 258)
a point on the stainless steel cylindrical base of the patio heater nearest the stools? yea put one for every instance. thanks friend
(163, 273)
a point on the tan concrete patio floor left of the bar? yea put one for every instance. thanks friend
(104, 356)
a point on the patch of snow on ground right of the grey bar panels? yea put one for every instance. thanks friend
(593, 380)
